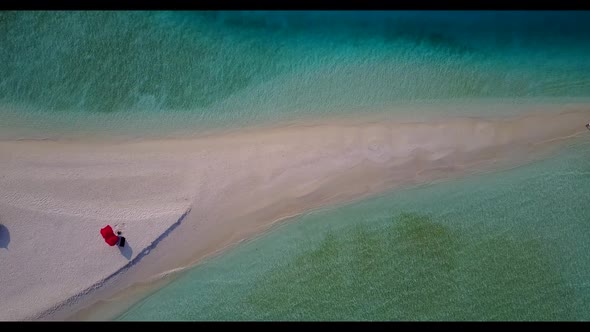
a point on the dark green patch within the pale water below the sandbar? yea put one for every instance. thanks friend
(414, 268)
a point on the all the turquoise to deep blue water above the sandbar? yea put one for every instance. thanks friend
(155, 73)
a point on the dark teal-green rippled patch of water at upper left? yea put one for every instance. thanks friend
(109, 61)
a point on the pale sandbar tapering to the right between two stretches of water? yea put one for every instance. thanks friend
(55, 196)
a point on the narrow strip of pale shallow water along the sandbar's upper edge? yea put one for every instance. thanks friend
(22, 124)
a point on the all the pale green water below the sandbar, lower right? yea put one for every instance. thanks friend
(511, 245)
